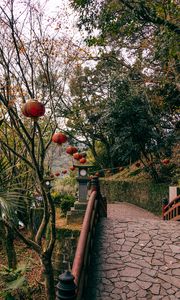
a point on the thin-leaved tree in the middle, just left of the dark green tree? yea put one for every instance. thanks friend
(90, 89)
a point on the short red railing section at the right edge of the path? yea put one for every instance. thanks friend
(171, 211)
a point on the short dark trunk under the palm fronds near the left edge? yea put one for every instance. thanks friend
(10, 250)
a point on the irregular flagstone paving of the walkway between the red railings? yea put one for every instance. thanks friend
(136, 257)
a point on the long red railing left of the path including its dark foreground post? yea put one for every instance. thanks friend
(76, 281)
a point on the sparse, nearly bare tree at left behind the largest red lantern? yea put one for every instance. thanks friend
(34, 65)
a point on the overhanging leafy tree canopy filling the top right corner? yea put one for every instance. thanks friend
(145, 32)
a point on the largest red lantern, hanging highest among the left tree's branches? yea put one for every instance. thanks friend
(33, 109)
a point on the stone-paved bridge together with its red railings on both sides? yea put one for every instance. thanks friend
(128, 254)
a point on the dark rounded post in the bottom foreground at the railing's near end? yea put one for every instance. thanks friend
(66, 288)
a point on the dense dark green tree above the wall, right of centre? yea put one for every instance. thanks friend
(139, 129)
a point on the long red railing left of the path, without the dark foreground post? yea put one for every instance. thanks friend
(96, 208)
